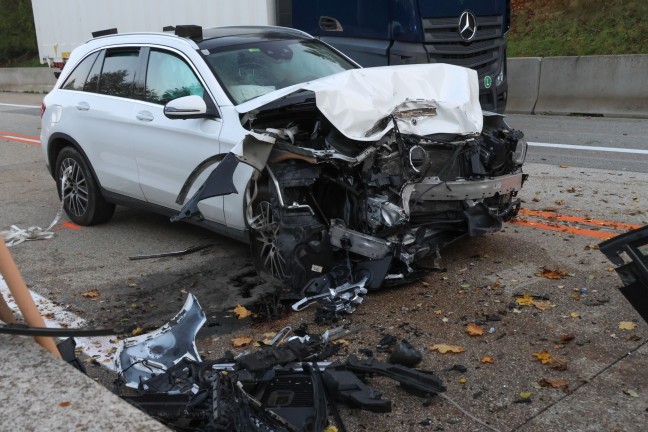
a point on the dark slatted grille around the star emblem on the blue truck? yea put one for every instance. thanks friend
(482, 53)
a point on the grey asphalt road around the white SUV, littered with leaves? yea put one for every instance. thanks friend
(483, 275)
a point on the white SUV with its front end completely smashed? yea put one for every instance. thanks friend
(333, 173)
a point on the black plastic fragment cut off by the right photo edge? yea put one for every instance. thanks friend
(633, 274)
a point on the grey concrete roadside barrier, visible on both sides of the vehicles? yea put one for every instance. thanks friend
(614, 86)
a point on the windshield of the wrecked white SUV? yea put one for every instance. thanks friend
(250, 70)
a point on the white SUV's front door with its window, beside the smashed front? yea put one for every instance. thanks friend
(167, 151)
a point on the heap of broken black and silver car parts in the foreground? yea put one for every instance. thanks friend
(283, 387)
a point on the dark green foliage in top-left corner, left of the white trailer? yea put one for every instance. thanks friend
(17, 33)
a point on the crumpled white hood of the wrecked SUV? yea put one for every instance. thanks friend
(425, 99)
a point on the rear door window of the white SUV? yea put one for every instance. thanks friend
(118, 72)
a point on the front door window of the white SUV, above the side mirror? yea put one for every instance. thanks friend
(169, 77)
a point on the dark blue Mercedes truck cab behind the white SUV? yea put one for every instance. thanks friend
(469, 33)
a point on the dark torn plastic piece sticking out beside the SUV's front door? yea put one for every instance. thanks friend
(220, 182)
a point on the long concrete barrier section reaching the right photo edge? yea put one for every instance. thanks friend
(615, 86)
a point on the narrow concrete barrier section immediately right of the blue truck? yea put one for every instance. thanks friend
(524, 83)
